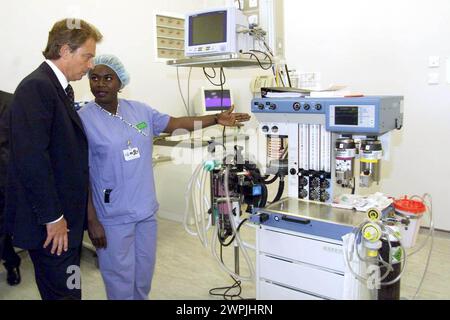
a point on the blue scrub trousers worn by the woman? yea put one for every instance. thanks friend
(128, 262)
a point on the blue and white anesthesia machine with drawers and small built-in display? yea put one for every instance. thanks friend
(331, 238)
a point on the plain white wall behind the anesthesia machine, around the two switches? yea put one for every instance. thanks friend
(382, 47)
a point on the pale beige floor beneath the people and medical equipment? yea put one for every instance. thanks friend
(187, 270)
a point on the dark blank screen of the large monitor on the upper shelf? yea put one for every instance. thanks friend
(207, 28)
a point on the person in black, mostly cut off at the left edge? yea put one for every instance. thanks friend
(11, 258)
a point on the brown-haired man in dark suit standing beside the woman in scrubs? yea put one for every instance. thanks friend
(47, 184)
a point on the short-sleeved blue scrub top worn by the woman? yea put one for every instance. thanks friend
(132, 197)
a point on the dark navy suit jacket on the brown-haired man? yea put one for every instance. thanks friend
(48, 162)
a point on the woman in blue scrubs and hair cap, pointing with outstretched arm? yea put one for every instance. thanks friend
(122, 205)
